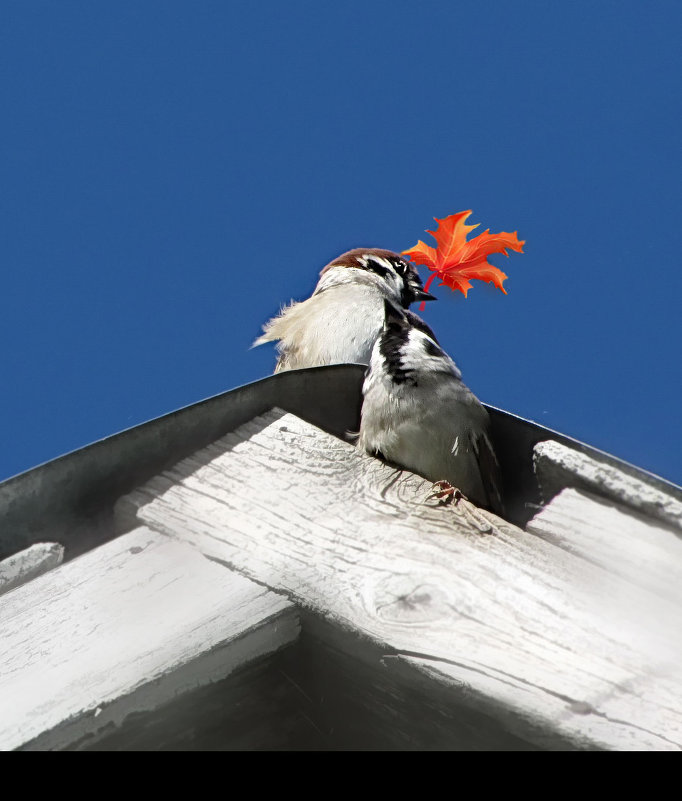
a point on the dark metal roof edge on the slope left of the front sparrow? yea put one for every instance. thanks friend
(69, 498)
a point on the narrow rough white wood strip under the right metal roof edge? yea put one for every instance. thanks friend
(558, 466)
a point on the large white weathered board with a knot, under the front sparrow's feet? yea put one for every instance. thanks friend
(561, 650)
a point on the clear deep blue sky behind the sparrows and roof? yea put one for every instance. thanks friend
(171, 172)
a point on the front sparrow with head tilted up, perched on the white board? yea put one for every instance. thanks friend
(418, 414)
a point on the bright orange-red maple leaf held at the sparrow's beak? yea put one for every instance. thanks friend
(455, 260)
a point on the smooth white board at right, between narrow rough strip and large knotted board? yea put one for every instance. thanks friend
(614, 537)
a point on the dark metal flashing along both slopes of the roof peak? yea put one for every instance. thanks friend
(70, 499)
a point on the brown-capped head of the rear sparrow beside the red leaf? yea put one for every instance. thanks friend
(394, 276)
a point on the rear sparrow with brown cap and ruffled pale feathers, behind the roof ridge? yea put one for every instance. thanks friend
(341, 320)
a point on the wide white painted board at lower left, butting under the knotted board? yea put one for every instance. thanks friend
(124, 629)
